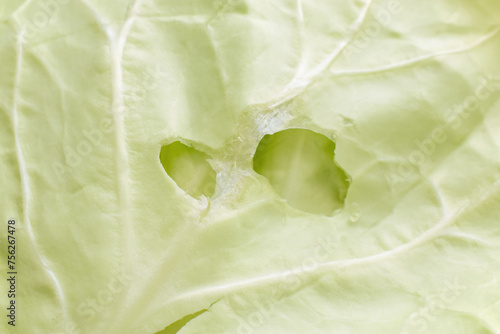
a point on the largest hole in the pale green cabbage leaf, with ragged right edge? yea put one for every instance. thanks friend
(300, 165)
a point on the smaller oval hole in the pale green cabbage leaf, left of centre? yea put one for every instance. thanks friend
(189, 168)
